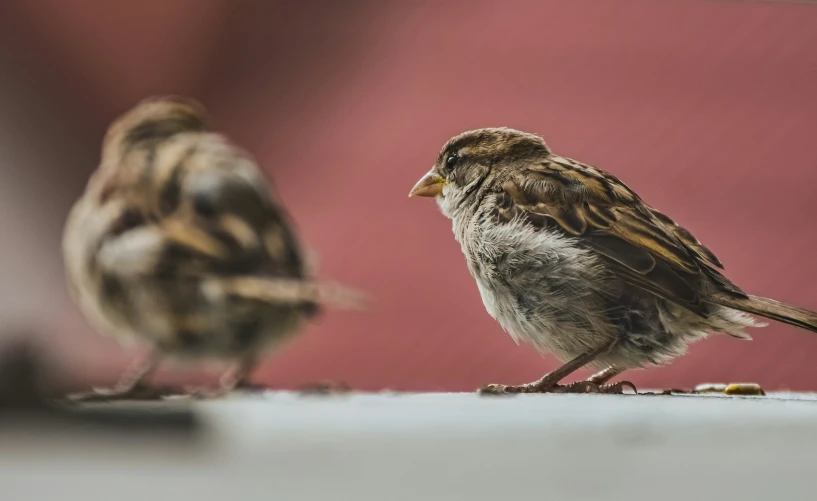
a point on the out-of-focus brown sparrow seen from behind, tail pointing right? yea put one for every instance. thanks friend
(181, 243)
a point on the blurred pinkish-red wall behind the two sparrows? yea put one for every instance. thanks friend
(708, 109)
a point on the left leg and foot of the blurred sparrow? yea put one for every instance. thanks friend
(131, 385)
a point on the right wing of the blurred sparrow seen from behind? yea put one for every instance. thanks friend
(213, 205)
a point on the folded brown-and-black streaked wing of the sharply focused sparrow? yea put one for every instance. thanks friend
(641, 245)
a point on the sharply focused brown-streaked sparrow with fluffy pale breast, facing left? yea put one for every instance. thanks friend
(569, 259)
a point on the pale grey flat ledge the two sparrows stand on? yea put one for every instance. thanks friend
(284, 446)
